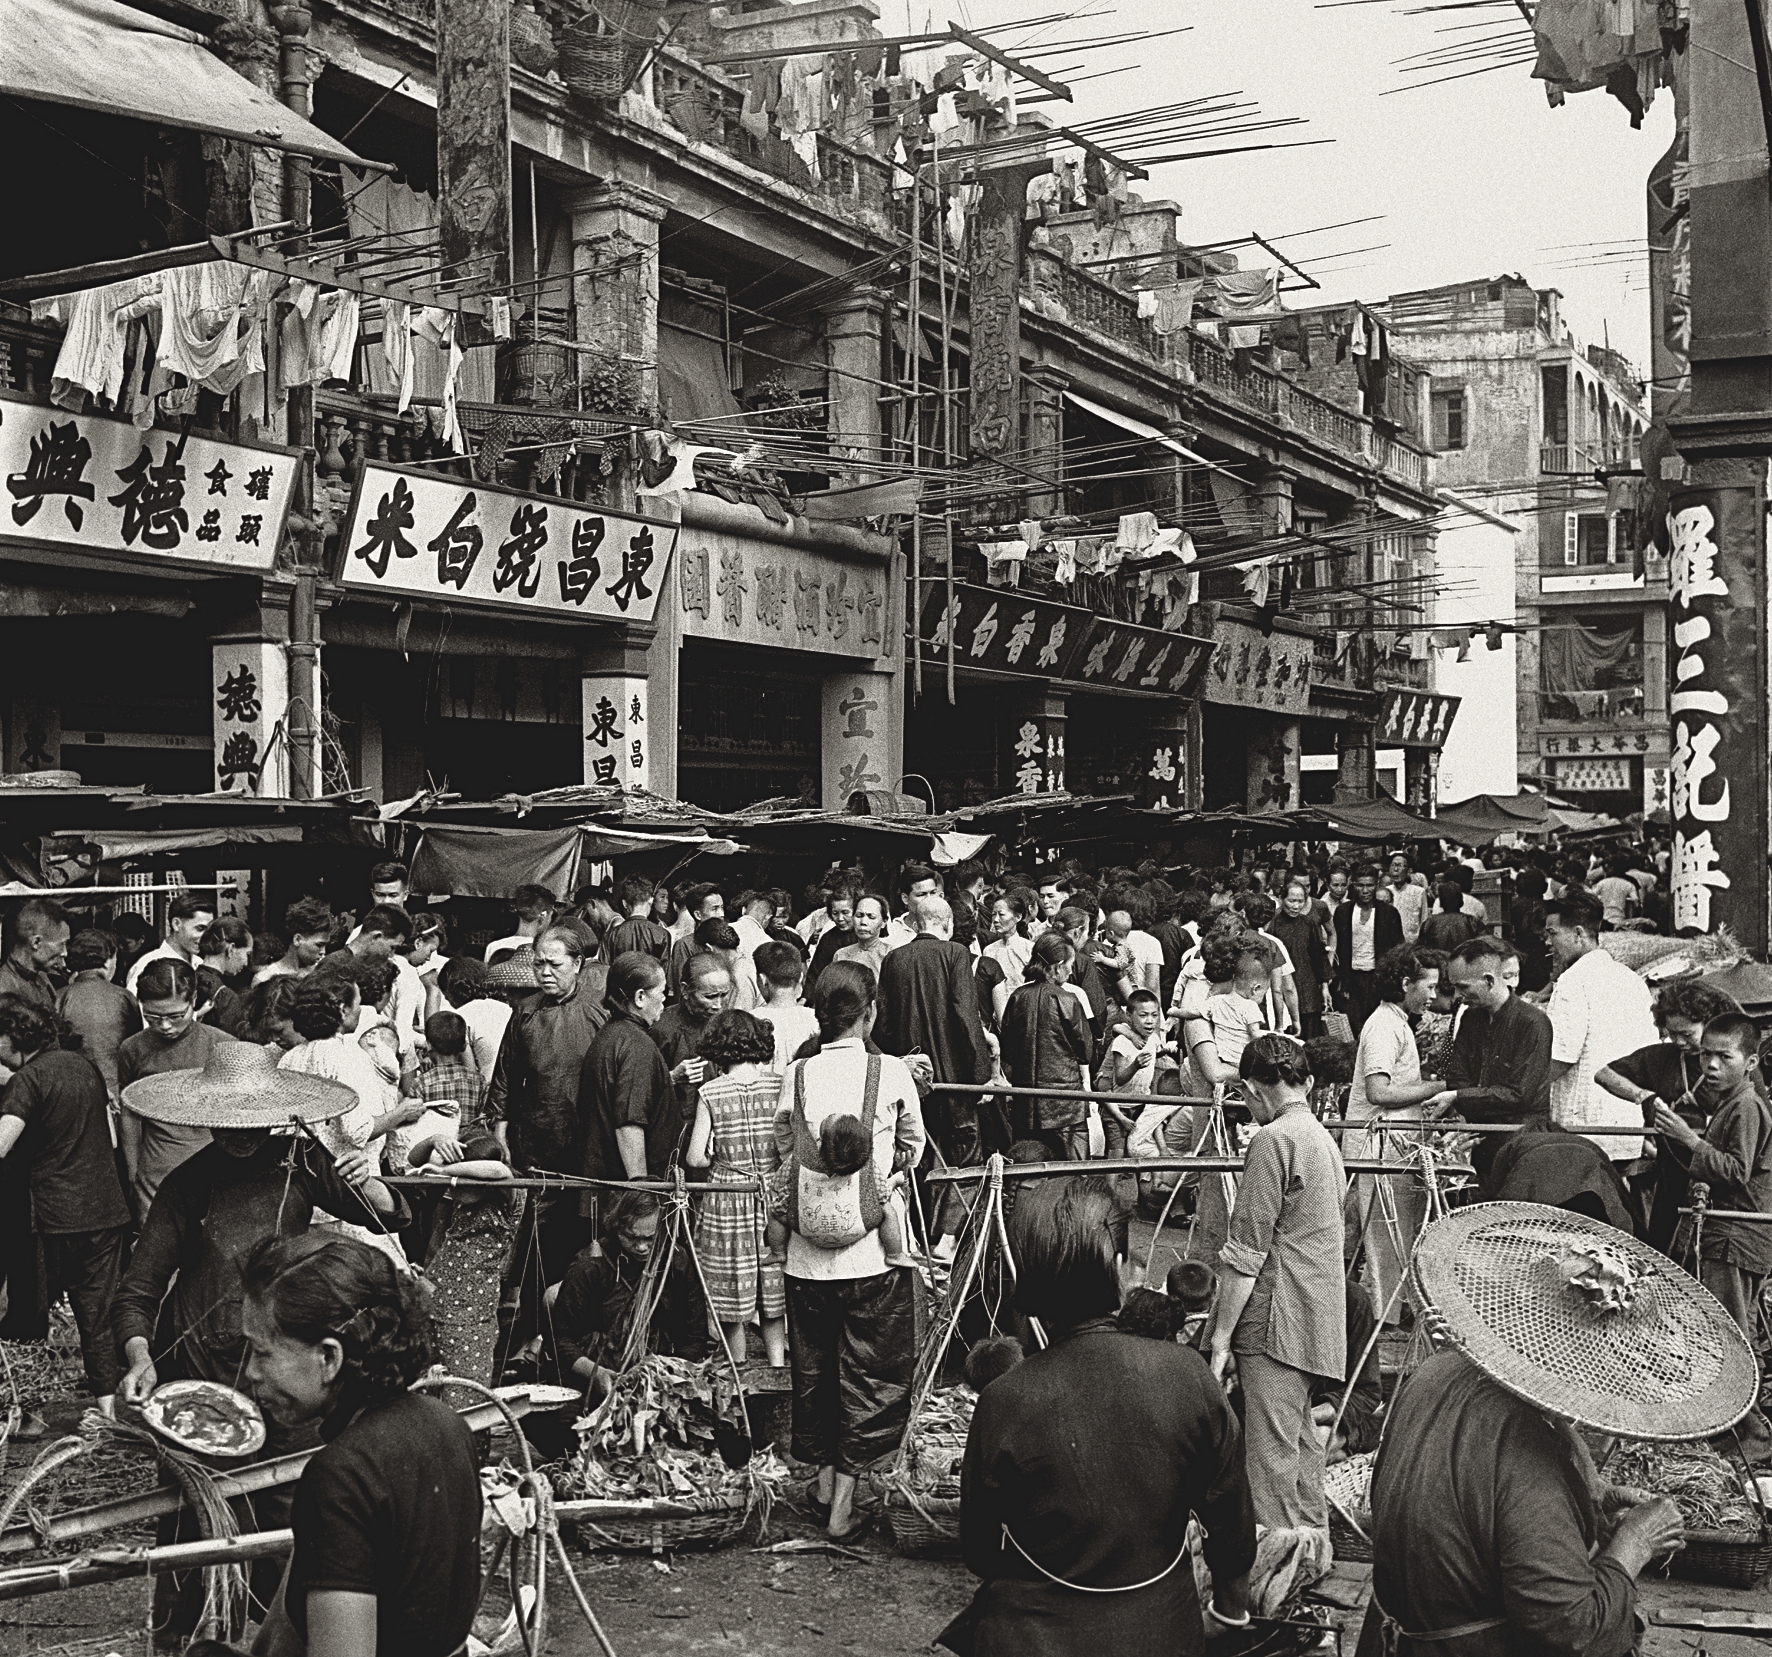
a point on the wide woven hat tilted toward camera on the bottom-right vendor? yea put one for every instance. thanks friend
(1585, 1321)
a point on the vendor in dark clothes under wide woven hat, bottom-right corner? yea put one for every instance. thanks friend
(1491, 1530)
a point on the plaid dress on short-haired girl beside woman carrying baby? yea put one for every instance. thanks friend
(731, 1233)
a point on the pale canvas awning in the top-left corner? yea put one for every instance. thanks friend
(118, 61)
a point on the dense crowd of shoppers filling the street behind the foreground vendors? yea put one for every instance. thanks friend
(185, 1114)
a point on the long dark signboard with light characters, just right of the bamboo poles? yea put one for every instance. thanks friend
(999, 630)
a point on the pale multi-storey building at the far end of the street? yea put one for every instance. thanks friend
(1530, 426)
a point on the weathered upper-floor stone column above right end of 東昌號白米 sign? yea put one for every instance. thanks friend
(616, 283)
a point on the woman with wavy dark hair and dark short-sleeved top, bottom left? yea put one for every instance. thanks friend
(387, 1516)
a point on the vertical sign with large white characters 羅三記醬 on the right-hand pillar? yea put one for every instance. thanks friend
(1716, 708)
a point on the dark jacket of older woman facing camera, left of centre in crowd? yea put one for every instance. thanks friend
(538, 1075)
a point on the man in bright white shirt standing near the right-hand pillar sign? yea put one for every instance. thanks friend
(1599, 1013)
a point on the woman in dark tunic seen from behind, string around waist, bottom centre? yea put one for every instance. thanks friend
(1085, 1463)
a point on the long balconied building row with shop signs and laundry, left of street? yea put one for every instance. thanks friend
(719, 504)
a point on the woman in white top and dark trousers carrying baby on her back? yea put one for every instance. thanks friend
(851, 1312)
